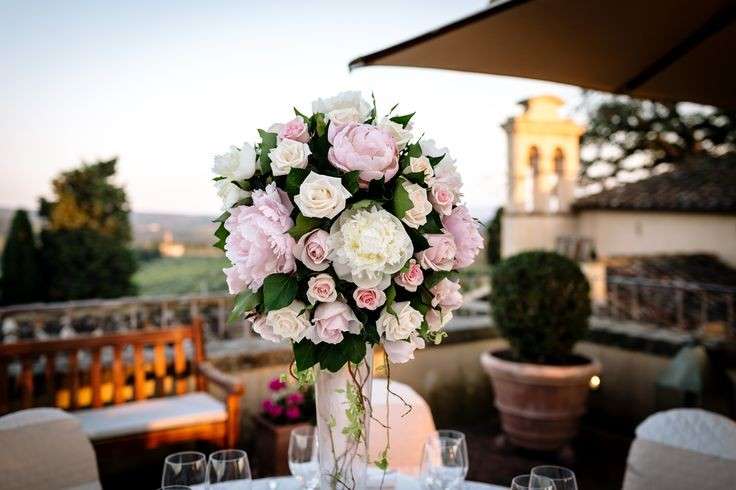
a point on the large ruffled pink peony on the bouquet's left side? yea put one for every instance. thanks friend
(258, 244)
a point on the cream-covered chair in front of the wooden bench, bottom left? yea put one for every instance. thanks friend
(45, 448)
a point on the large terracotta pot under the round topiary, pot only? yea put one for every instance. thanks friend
(540, 405)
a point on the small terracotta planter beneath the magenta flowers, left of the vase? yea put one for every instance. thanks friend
(272, 446)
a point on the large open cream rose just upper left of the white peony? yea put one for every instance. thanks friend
(321, 196)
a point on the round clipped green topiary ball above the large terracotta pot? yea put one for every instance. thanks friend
(540, 303)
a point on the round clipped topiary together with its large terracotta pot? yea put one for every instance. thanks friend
(540, 303)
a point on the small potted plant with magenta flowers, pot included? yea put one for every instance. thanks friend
(283, 411)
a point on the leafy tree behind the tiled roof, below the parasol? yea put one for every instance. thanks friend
(627, 134)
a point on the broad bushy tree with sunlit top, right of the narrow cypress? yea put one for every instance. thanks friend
(86, 237)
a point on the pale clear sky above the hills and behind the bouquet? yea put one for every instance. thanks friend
(166, 85)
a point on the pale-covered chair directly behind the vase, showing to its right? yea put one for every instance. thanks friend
(408, 432)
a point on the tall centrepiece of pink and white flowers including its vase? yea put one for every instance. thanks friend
(344, 231)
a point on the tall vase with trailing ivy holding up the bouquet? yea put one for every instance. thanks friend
(343, 416)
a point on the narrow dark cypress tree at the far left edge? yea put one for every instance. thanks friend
(20, 280)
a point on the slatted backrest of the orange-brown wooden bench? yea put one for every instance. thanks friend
(97, 370)
